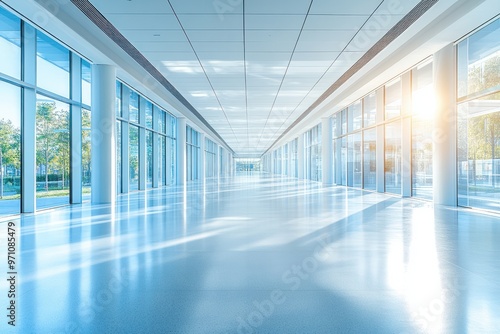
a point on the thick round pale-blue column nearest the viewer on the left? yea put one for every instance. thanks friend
(103, 134)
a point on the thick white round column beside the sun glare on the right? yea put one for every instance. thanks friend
(445, 140)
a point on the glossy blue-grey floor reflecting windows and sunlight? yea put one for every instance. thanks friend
(257, 254)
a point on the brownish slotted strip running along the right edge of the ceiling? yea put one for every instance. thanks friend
(420, 9)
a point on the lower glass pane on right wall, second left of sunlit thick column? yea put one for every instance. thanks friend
(393, 157)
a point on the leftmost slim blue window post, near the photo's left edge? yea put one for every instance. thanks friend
(28, 143)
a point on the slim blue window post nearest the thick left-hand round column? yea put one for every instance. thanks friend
(76, 131)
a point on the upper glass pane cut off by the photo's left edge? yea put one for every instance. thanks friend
(10, 44)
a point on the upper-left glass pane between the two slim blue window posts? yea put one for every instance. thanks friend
(52, 65)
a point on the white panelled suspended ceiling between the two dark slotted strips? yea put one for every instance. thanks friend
(251, 68)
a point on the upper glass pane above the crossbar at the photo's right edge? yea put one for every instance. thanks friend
(479, 61)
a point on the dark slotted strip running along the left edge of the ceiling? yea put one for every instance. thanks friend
(110, 30)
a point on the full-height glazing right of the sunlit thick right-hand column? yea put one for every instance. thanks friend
(479, 119)
